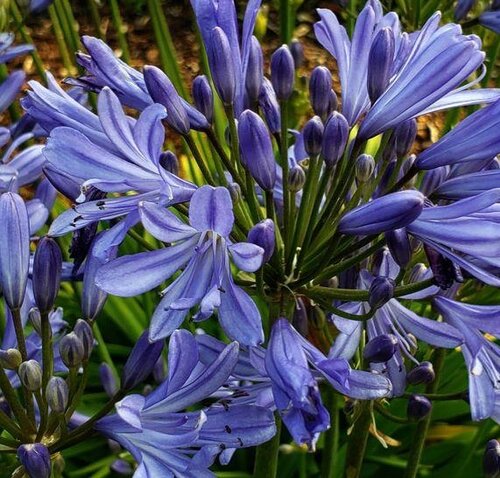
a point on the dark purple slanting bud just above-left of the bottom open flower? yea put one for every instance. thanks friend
(141, 361)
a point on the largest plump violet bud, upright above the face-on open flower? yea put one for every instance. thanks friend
(257, 149)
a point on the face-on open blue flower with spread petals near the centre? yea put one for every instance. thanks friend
(203, 249)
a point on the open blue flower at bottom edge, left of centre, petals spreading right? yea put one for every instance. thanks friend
(168, 441)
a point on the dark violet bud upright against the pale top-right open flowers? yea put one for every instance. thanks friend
(380, 63)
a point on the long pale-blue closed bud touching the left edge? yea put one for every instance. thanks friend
(14, 248)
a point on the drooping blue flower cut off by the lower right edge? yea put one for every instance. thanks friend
(481, 355)
